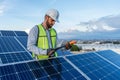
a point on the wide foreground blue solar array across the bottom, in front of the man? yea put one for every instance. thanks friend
(89, 66)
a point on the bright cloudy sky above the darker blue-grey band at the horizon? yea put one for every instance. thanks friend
(82, 15)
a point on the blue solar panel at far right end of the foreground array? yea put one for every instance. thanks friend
(111, 56)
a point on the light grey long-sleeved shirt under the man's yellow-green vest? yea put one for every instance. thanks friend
(32, 39)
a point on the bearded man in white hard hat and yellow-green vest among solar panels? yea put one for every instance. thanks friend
(42, 38)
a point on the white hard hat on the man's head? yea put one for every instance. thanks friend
(53, 13)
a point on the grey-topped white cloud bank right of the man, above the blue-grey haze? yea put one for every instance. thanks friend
(107, 23)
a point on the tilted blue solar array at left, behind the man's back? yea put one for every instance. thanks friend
(13, 47)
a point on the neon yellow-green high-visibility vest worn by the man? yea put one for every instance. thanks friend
(43, 41)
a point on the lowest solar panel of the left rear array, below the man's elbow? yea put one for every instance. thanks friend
(15, 57)
